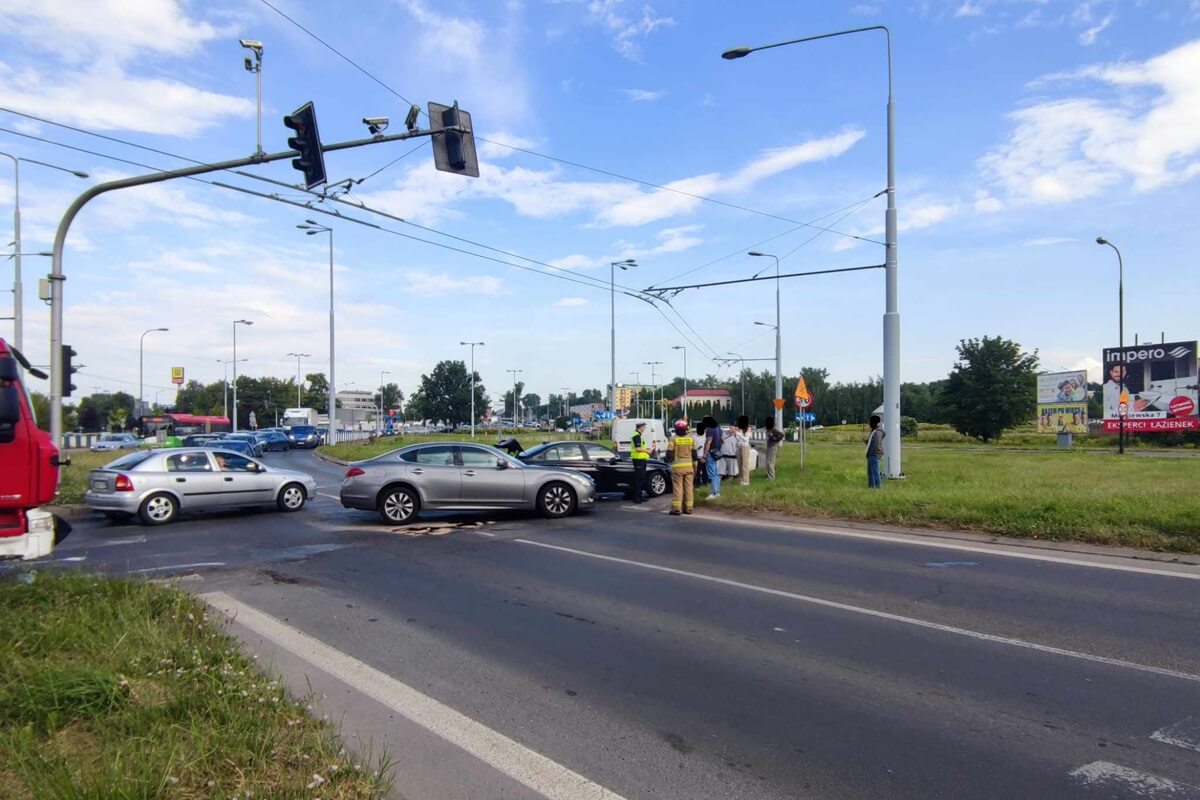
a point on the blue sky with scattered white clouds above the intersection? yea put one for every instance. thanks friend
(1025, 129)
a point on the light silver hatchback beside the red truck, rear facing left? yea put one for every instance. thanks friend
(159, 485)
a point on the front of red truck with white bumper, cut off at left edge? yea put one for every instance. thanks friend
(29, 468)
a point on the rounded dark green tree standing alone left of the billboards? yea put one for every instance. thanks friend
(992, 388)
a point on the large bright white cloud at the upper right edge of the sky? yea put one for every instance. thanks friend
(1073, 148)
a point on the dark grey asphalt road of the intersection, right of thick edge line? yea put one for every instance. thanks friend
(706, 658)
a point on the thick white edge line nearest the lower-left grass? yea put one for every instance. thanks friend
(529, 768)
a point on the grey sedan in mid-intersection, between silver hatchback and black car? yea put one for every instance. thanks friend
(448, 477)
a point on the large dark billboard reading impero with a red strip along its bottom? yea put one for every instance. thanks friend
(1161, 383)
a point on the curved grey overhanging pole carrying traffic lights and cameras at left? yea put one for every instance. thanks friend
(57, 278)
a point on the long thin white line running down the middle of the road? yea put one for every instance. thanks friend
(872, 612)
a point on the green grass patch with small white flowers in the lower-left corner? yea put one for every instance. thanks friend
(116, 689)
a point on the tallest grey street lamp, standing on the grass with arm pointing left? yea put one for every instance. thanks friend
(892, 311)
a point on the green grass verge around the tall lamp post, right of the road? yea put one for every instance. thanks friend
(1148, 503)
